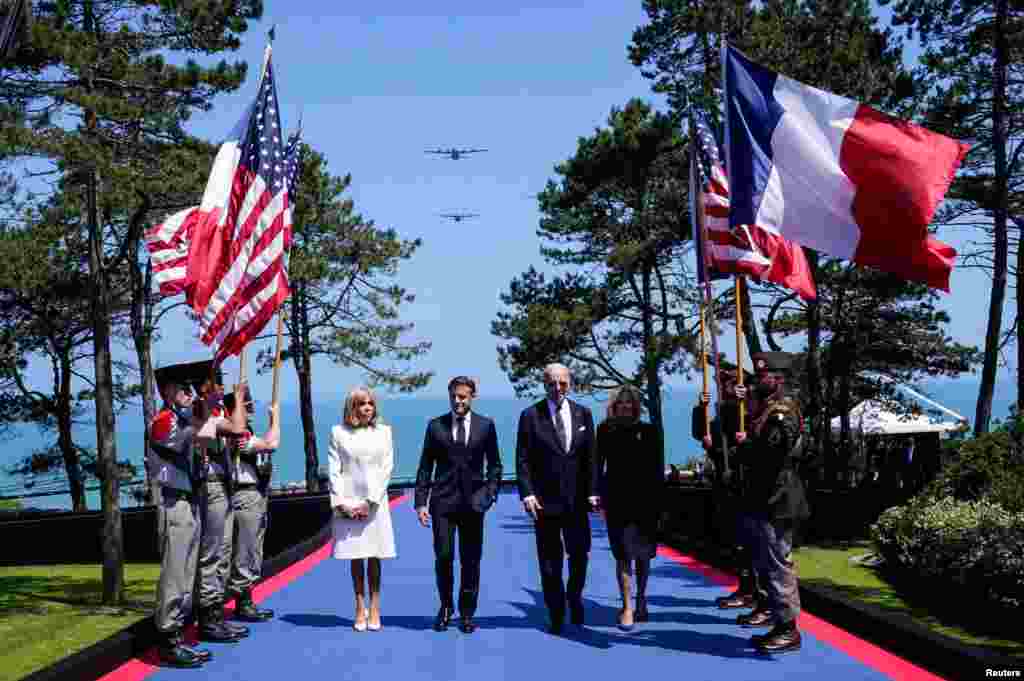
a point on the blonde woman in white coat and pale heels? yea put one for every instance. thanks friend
(362, 457)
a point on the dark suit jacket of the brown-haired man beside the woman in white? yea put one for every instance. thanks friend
(452, 475)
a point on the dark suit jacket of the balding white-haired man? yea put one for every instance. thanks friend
(562, 481)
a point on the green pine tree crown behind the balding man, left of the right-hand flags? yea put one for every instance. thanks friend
(617, 221)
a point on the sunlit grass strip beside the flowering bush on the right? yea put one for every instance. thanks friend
(974, 623)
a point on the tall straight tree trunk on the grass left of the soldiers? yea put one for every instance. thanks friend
(113, 540)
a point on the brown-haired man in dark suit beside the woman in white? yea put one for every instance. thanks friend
(455, 449)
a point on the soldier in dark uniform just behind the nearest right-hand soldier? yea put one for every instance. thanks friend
(730, 489)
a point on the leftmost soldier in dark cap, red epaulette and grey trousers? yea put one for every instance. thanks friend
(174, 465)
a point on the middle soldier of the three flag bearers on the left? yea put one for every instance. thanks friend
(219, 520)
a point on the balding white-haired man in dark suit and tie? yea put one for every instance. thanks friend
(554, 453)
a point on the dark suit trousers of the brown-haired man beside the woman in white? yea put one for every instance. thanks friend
(470, 526)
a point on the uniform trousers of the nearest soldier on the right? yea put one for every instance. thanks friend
(774, 561)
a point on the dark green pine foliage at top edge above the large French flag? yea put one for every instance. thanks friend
(833, 45)
